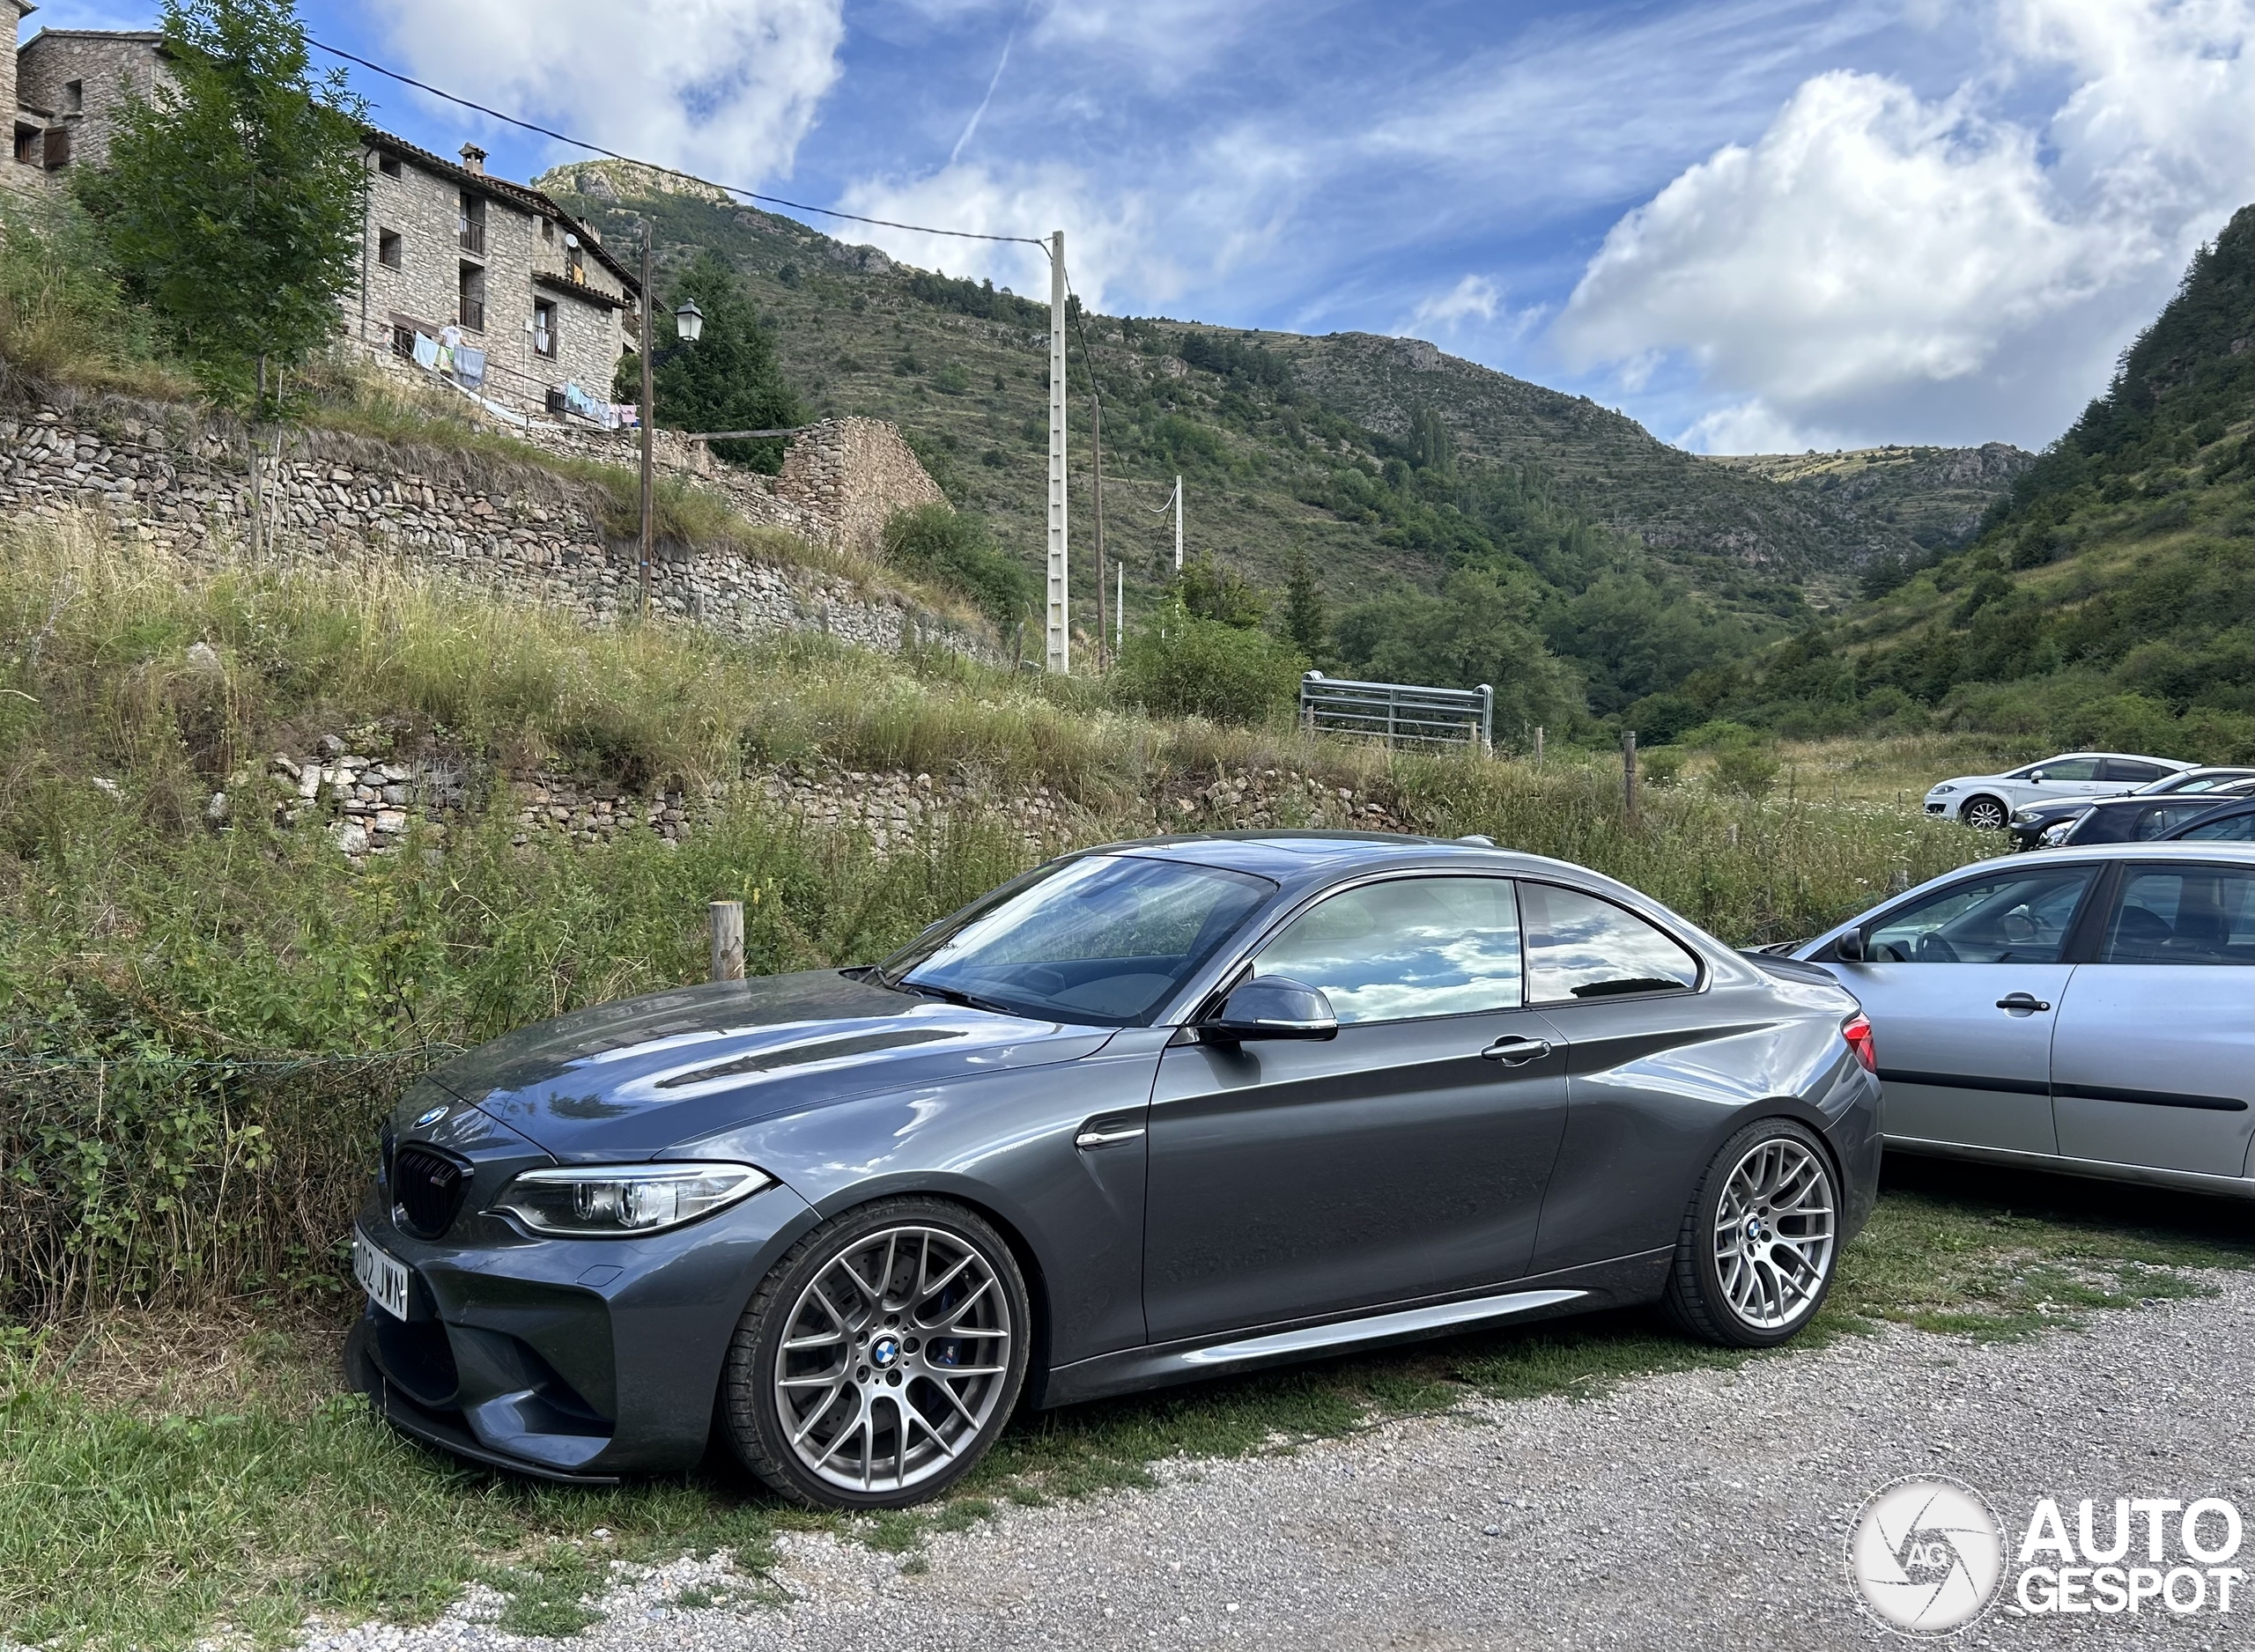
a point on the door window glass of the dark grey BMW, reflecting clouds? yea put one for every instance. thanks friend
(1404, 950)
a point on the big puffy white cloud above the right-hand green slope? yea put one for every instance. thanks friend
(1877, 258)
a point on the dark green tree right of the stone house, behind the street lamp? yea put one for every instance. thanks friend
(729, 378)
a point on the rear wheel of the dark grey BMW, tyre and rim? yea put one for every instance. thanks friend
(1756, 1268)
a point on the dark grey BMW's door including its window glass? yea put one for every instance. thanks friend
(1401, 1160)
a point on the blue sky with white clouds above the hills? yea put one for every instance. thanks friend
(1751, 224)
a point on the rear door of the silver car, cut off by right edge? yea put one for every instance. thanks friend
(2155, 1045)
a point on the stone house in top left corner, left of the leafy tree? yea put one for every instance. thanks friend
(67, 89)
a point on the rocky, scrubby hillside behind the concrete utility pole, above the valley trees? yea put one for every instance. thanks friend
(1284, 441)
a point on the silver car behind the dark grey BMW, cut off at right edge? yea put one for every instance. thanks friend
(2089, 1011)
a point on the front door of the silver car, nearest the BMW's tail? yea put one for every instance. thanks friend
(1963, 988)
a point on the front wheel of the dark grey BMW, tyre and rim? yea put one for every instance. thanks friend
(835, 1389)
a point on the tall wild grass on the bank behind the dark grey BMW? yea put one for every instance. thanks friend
(202, 1027)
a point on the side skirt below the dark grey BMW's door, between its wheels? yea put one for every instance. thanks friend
(1580, 1290)
